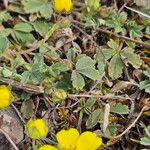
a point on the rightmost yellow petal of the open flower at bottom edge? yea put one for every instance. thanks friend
(88, 141)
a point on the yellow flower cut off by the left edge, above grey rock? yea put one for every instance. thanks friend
(5, 96)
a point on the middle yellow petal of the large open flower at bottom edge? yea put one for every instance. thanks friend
(68, 138)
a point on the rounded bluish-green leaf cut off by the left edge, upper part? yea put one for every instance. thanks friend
(4, 44)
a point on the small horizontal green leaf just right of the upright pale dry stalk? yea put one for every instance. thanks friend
(119, 108)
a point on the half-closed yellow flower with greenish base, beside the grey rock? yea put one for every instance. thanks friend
(37, 129)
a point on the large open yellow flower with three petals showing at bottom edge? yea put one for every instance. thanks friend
(71, 140)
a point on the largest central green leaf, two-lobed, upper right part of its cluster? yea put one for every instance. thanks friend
(86, 66)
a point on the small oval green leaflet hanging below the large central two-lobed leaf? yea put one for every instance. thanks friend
(77, 80)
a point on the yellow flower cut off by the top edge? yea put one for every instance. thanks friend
(63, 5)
